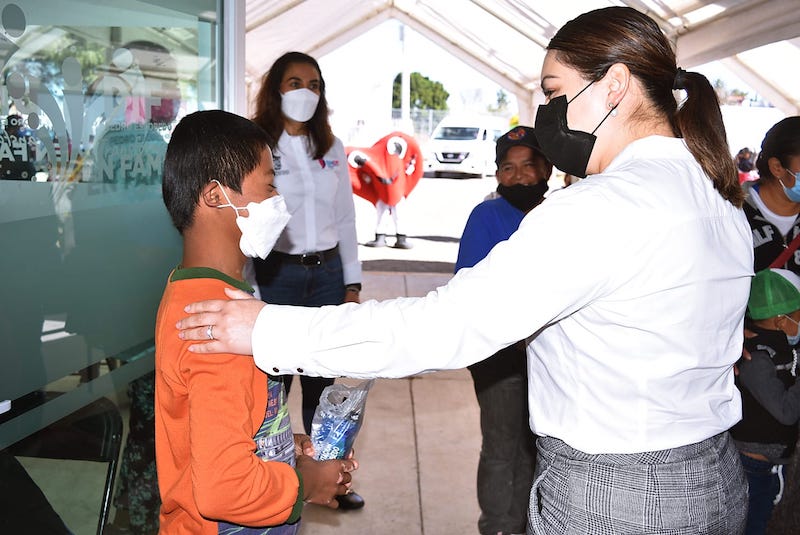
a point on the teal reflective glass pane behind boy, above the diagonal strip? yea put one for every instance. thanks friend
(86, 113)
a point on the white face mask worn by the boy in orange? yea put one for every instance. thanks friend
(262, 228)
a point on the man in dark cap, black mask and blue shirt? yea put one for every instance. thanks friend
(508, 450)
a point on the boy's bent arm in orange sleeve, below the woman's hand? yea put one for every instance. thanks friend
(230, 481)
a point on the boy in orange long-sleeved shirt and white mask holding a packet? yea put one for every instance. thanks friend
(225, 452)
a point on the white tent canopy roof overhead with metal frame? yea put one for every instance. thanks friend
(505, 39)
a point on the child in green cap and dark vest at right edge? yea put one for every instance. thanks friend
(767, 434)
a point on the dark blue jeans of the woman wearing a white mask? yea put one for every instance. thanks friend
(285, 283)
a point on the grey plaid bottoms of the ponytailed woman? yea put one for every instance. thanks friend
(691, 490)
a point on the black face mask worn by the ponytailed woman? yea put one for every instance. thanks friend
(569, 150)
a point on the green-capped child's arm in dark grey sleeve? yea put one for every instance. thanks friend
(759, 376)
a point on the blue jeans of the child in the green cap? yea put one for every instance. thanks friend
(765, 487)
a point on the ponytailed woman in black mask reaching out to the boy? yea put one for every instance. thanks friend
(630, 287)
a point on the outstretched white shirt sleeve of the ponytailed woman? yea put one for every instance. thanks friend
(534, 278)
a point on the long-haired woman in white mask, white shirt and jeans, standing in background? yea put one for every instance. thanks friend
(315, 261)
